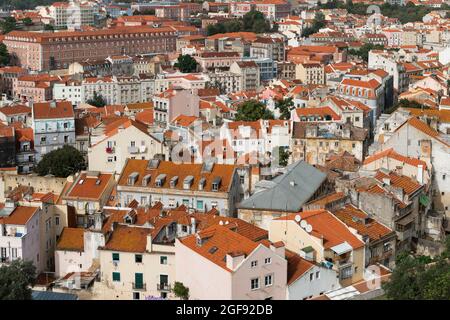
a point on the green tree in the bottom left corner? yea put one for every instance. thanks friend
(16, 280)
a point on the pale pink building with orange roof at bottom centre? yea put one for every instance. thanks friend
(218, 263)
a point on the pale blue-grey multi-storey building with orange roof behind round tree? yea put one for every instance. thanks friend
(53, 126)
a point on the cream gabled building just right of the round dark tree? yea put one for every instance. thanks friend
(122, 139)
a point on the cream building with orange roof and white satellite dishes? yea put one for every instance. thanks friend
(321, 236)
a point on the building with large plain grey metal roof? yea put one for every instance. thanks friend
(285, 193)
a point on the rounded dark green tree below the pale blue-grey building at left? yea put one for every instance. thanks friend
(61, 162)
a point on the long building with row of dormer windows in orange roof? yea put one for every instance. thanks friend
(198, 186)
